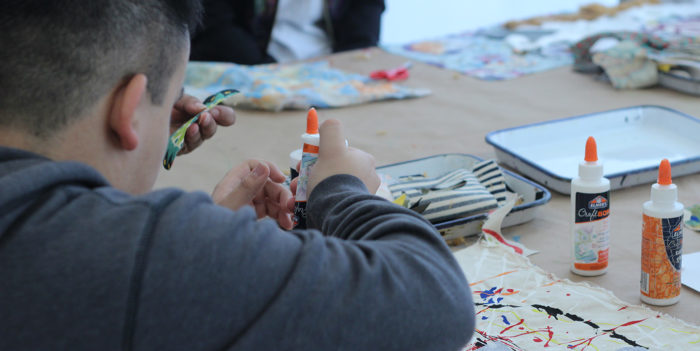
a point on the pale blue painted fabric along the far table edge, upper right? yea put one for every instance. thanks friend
(499, 54)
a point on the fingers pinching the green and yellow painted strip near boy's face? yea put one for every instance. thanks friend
(205, 127)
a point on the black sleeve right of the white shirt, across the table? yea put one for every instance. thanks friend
(358, 26)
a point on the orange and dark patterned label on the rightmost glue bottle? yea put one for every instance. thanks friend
(662, 240)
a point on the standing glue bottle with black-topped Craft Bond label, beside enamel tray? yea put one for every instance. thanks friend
(590, 206)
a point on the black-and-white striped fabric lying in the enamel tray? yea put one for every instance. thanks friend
(458, 193)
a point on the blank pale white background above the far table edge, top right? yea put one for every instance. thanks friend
(409, 20)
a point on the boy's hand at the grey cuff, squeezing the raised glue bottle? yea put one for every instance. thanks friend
(335, 157)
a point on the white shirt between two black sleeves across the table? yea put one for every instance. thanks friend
(294, 35)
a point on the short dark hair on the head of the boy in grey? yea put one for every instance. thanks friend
(57, 57)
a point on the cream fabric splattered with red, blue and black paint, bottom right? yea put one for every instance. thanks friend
(521, 307)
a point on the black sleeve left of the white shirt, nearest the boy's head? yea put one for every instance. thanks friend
(223, 37)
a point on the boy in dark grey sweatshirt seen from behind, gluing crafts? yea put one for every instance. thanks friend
(91, 258)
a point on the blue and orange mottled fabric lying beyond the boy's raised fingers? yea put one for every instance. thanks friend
(293, 86)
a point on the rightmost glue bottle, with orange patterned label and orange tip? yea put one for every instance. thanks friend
(662, 239)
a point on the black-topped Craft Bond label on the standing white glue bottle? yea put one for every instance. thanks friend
(591, 231)
